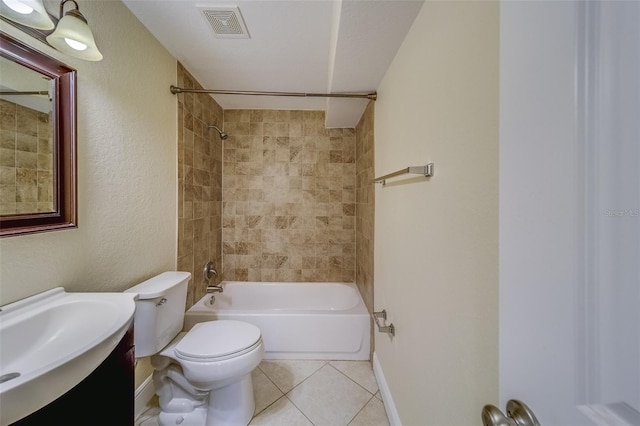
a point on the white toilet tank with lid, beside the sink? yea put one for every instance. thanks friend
(159, 311)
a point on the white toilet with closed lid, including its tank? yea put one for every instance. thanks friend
(202, 377)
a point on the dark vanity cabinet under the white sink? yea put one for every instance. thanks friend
(104, 398)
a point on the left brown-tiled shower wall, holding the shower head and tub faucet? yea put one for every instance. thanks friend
(199, 185)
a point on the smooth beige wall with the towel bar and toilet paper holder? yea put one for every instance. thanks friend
(436, 245)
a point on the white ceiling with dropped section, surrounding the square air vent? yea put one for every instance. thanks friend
(309, 46)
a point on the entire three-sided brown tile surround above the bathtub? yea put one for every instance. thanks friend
(293, 200)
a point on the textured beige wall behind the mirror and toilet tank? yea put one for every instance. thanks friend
(126, 169)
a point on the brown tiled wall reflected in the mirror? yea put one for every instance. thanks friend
(26, 160)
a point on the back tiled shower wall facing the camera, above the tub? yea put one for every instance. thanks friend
(289, 197)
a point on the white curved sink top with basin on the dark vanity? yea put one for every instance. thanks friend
(51, 341)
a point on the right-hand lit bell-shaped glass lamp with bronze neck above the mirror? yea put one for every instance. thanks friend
(73, 35)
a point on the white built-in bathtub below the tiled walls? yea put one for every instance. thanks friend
(297, 320)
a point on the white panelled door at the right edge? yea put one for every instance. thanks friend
(570, 210)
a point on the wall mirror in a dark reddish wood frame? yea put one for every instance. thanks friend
(38, 186)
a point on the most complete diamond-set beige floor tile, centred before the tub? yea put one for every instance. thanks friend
(329, 398)
